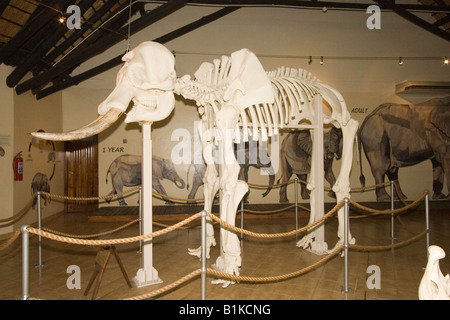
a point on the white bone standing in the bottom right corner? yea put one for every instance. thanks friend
(434, 286)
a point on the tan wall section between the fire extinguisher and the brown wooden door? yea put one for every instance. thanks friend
(43, 165)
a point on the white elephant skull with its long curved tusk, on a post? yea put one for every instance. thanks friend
(147, 79)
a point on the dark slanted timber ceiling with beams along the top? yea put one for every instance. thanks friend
(45, 53)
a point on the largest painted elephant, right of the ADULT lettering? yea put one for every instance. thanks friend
(400, 135)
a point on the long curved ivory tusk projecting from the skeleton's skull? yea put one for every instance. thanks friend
(98, 125)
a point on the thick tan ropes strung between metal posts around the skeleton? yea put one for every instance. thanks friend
(81, 239)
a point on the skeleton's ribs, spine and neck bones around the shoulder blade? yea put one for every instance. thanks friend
(294, 90)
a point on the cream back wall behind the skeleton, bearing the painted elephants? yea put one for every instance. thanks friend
(360, 63)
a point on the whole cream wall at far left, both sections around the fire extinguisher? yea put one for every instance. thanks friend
(43, 162)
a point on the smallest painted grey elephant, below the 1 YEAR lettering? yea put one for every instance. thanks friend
(126, 171)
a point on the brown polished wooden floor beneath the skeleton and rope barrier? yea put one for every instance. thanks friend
(401, 268)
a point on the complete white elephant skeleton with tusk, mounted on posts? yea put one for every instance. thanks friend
(238, 99)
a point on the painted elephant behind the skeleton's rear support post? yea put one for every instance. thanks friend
(295, 158)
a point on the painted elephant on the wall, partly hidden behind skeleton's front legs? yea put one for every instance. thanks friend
(248, 154)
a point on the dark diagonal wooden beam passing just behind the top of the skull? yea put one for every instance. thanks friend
(118, 60)
